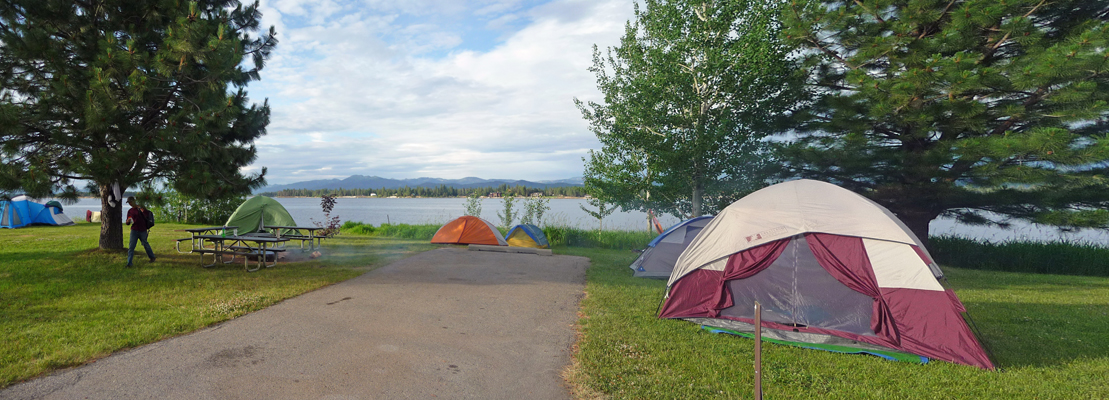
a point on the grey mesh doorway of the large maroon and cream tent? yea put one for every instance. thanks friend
(796, 291)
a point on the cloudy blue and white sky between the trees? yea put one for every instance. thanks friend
(449, 89)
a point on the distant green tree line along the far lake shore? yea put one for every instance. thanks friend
(442, 191)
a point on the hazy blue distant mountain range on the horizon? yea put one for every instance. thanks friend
(378, 182)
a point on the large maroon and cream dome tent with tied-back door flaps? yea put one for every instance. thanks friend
(832, 270)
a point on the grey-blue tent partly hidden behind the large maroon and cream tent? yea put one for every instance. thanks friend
(658, 260)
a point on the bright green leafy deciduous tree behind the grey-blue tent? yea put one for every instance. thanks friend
(688, 97)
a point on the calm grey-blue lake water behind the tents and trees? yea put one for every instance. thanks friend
(568, 212)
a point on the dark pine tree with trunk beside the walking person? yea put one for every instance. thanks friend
(129, 91)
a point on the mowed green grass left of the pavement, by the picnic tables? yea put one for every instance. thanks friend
(65, 303)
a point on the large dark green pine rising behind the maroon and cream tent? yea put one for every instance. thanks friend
(965, 108)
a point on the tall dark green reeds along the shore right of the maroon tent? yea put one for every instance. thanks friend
(1053, 258)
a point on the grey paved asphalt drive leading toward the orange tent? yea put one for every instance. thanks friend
(446, 324)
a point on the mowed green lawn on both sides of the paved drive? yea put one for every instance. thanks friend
(63, 304)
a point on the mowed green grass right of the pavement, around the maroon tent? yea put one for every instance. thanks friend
(1049, 334)
